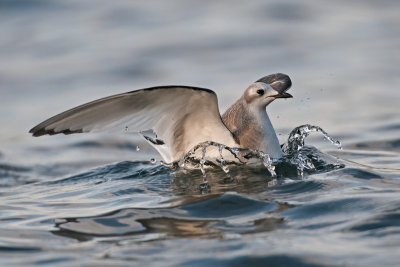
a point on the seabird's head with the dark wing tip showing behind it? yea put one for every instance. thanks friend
(267, 89)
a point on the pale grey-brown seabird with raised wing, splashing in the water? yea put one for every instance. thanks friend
(180, 117)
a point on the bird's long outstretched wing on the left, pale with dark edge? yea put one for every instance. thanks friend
(181, 116)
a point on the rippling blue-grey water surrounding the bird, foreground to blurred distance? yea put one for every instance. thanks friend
(95, 200)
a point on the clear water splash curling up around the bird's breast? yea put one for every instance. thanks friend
(298, 157)
